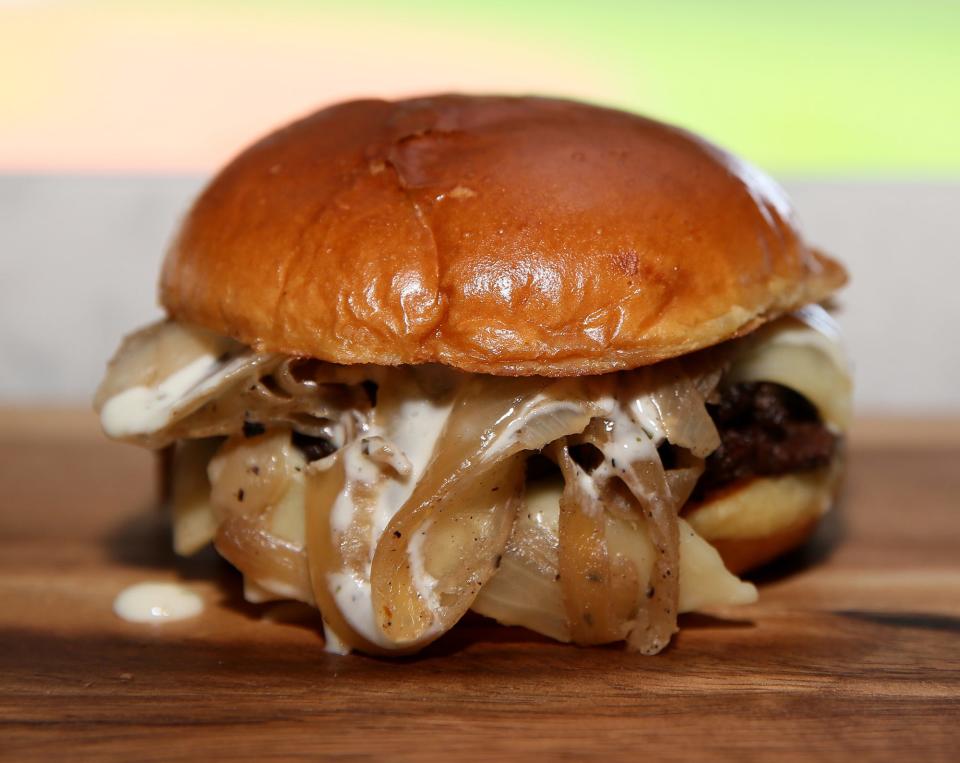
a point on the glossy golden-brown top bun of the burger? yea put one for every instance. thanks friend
(509, 236)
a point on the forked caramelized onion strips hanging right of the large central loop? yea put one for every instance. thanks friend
(603, 599)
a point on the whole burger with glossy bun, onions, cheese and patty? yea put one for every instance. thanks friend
(557, 364)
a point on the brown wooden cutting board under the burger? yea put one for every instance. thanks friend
(852, 651)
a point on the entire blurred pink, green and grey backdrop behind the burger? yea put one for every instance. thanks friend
(112, 115)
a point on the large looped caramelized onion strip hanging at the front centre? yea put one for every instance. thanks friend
(443, 545)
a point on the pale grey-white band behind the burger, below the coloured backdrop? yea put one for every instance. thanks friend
(79, 257)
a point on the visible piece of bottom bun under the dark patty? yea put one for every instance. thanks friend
(754, 521)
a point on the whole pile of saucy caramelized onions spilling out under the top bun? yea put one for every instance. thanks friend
(396, 533)
